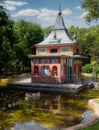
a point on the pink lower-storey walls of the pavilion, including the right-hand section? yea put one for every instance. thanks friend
(59, 77)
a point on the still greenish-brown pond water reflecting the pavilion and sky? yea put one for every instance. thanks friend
(49, 112)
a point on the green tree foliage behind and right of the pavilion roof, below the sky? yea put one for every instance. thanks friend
(88, 39)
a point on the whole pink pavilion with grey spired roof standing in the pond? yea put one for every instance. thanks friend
(57, 58)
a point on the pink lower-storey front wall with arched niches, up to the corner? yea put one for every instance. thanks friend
(57, 78)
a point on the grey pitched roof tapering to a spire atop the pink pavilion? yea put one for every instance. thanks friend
(59, 33)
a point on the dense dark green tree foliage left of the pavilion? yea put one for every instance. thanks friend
(16, 43)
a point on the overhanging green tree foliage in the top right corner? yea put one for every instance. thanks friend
(92, 7)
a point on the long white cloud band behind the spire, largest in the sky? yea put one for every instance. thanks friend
(42, 14)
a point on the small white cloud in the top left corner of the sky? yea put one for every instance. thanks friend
(11, 5)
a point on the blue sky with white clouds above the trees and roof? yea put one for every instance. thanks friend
(44, 12)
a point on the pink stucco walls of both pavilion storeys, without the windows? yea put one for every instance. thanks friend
(74, 49)
